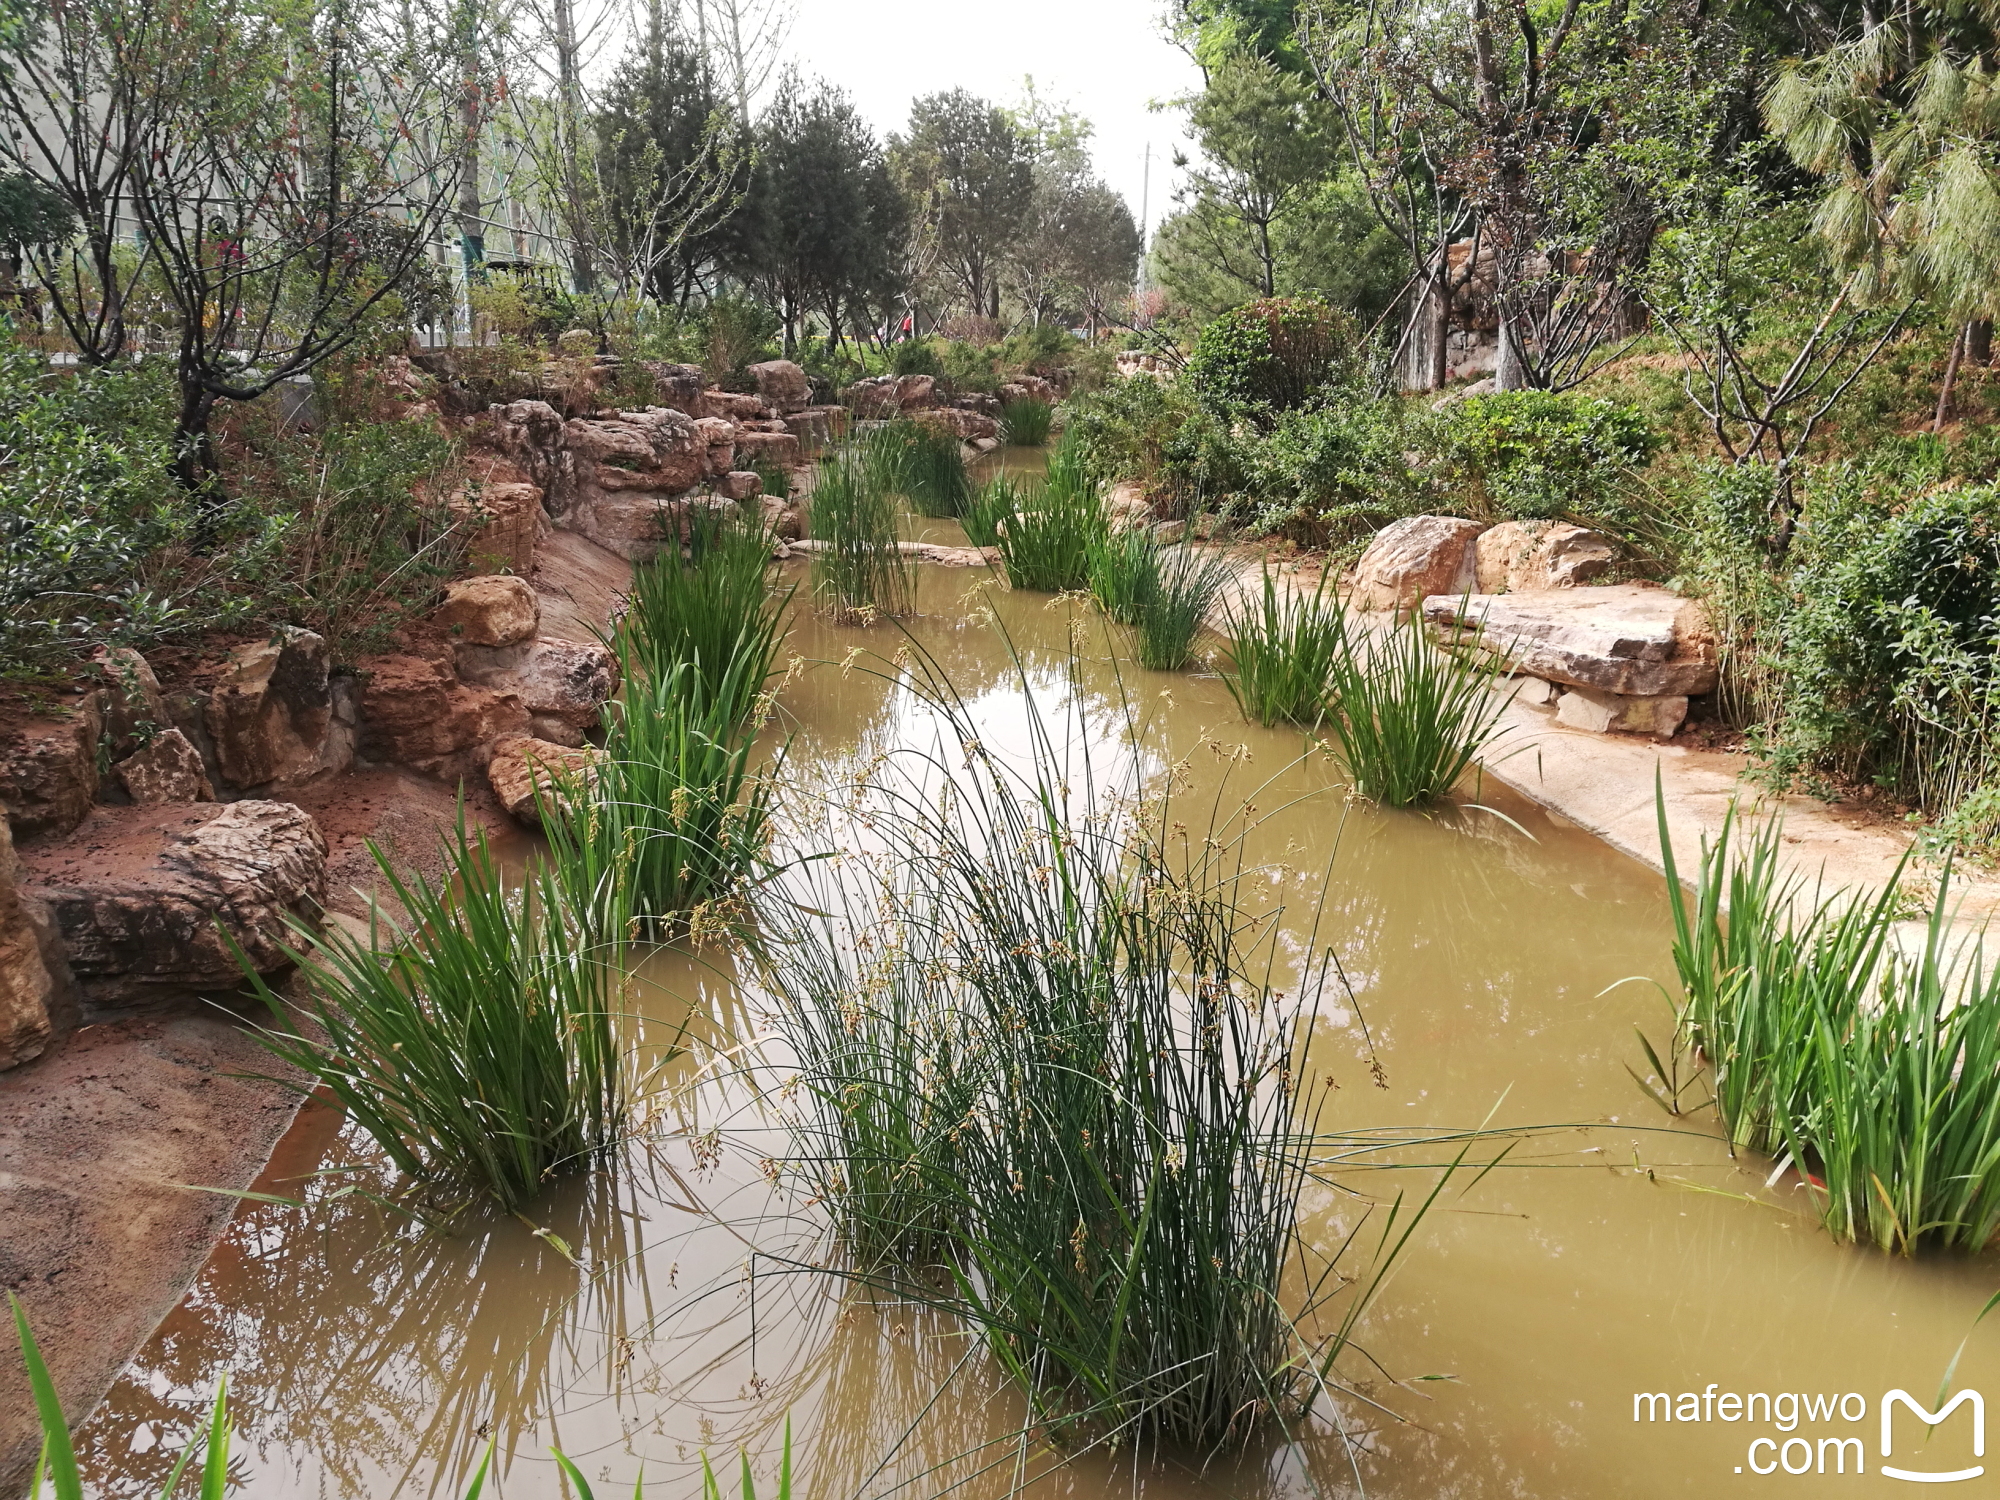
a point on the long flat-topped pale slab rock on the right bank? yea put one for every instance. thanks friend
(1627, 639)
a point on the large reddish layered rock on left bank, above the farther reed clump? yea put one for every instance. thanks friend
(627, 471)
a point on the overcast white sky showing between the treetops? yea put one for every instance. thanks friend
(1105, 59)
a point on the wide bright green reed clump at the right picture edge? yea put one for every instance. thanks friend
(1873, 1067)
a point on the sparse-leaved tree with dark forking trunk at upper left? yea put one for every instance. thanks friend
(287, 171)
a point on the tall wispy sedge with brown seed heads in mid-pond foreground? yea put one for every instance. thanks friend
(1047, 1069)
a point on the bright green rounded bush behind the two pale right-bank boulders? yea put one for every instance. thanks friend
(1539, 455)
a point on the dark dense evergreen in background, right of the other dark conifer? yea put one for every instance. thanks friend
(827, 215)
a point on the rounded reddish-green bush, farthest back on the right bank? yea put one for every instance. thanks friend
(1273, 357)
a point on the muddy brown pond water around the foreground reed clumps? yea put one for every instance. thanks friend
(649, 1321)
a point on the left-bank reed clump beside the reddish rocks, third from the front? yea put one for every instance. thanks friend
(707, 605)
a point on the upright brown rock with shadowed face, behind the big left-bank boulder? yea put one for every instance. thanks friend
(271, 711)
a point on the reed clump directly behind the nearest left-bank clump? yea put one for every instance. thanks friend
(673, 817)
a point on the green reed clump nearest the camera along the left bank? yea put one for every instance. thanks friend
(477, 1045)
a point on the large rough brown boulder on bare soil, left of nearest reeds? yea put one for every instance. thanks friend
(143, 897)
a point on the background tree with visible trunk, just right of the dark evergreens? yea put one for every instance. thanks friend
(971, 175)
